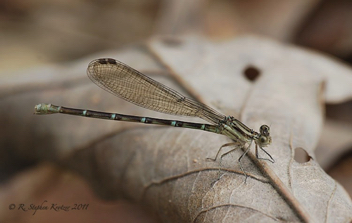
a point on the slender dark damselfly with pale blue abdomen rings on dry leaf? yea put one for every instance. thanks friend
(135, 87)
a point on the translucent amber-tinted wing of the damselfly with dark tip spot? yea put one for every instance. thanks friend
(133, 86)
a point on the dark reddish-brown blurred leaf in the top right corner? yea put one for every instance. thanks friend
(327, 28)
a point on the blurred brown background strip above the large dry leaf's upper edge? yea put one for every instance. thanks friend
(39, 32)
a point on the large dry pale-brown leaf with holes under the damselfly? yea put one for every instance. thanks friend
(166, 168)
